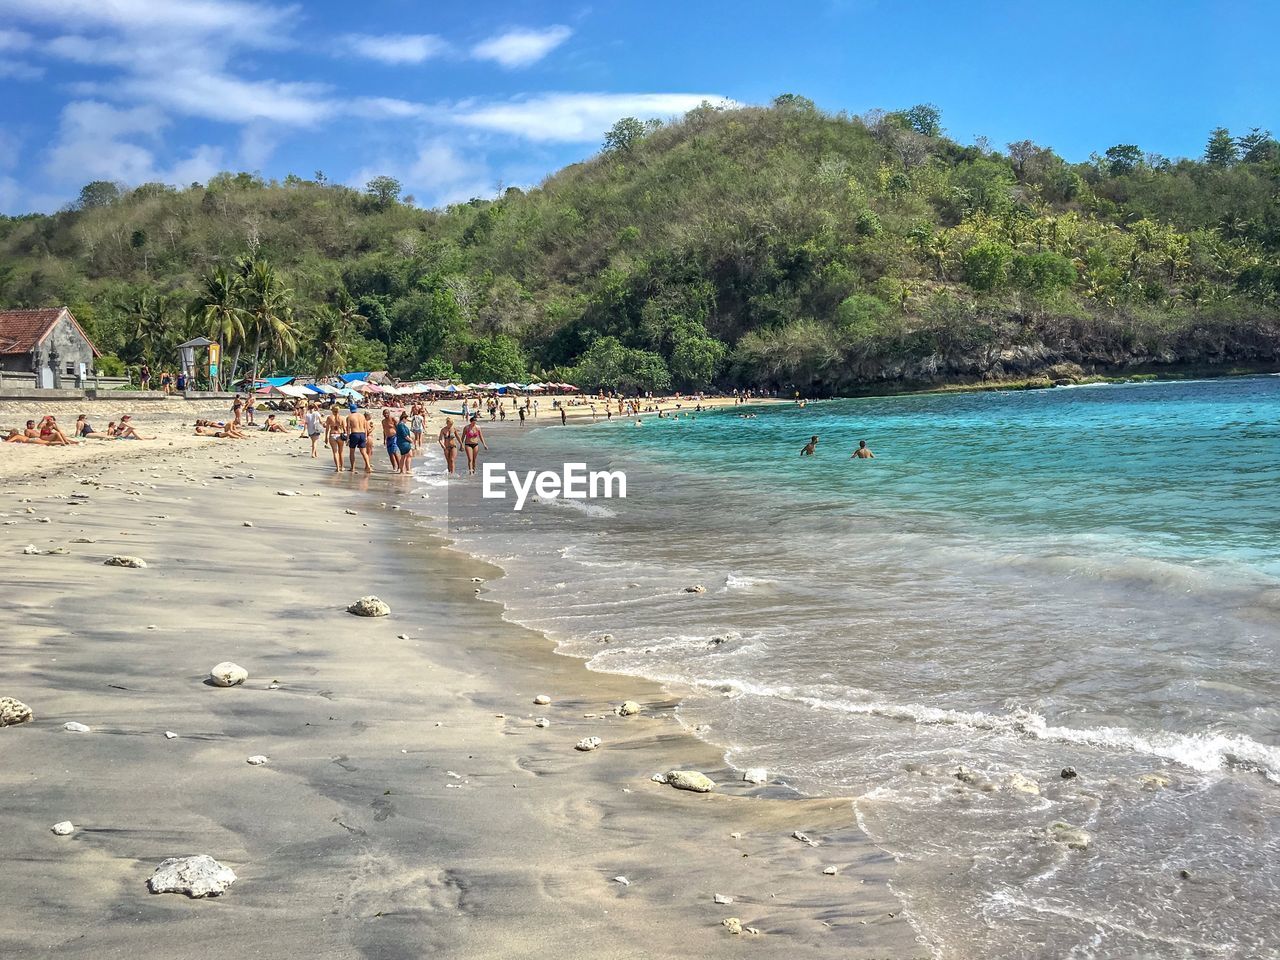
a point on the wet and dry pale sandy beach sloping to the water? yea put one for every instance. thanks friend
(409, 807)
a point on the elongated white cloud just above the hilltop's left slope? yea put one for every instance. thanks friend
(574, 118)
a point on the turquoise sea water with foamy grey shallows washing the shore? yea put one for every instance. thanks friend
(1018, 583)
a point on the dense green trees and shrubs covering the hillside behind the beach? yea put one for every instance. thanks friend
(776, 248)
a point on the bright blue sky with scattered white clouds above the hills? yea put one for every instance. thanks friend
(458, 100)
